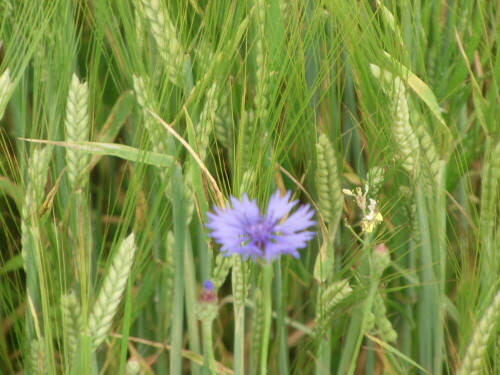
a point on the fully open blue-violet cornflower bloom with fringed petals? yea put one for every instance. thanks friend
(244, 230)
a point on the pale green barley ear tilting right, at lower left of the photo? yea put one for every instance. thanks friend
(110, 295)
